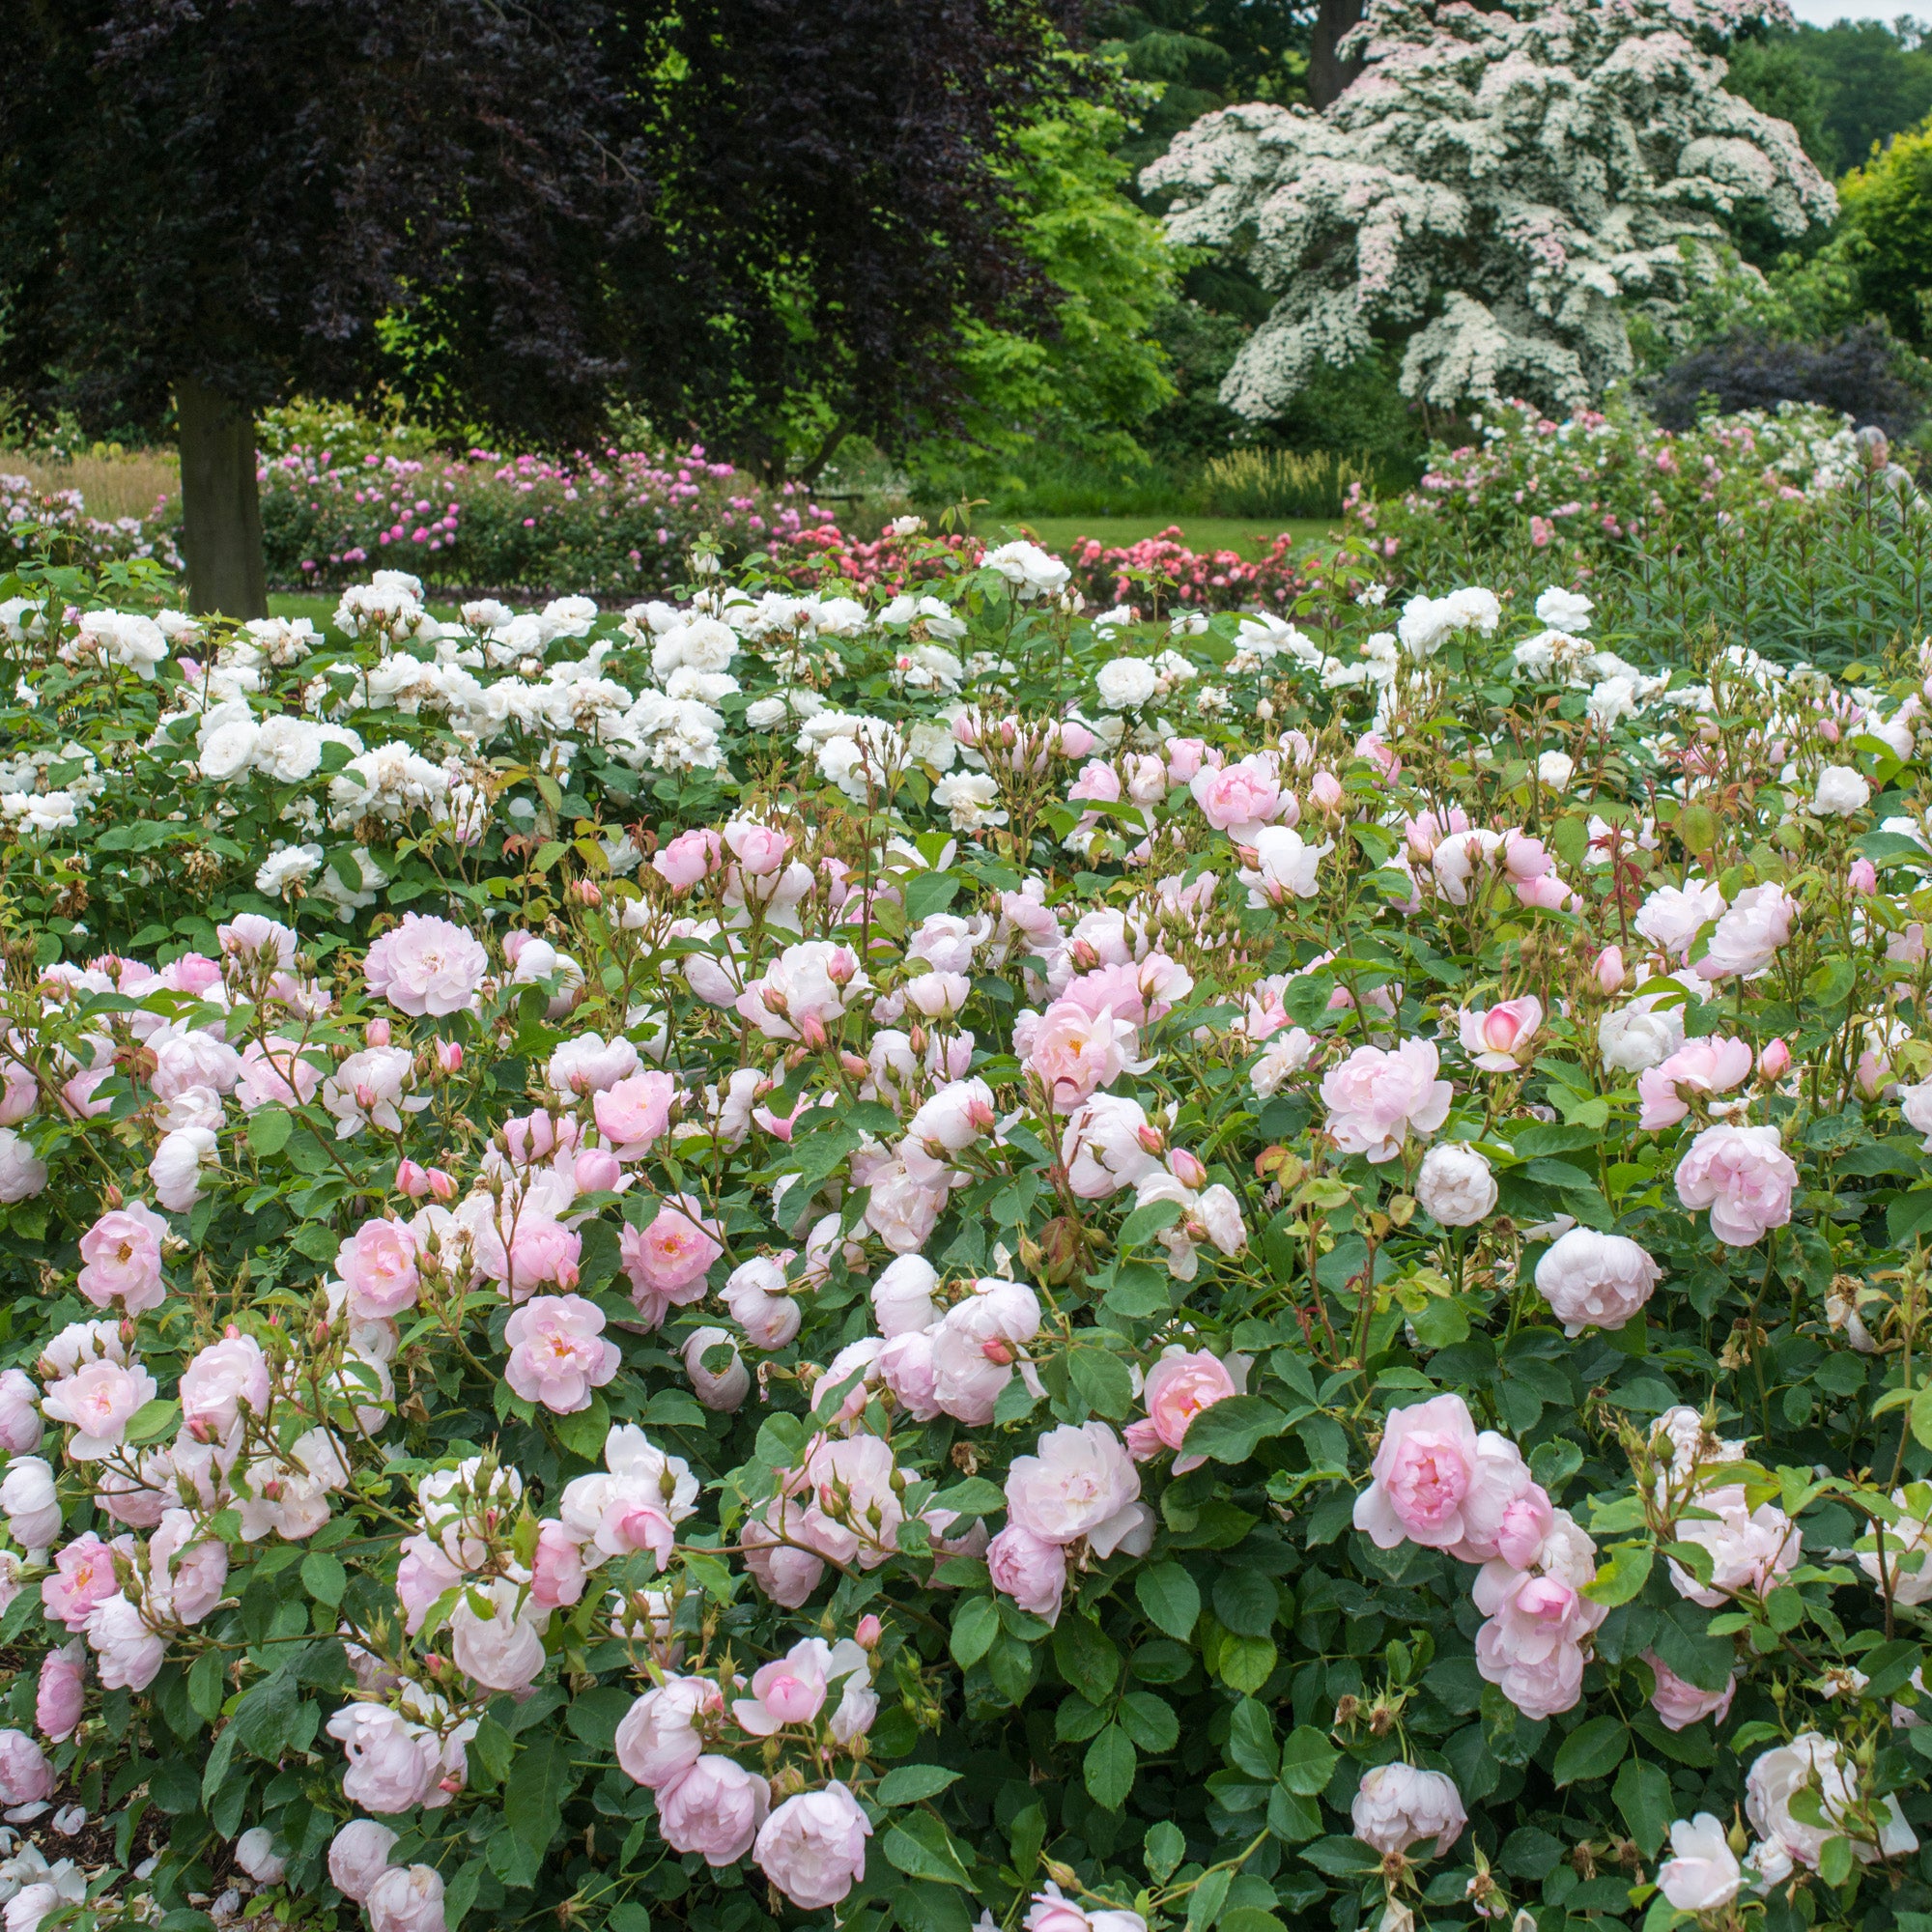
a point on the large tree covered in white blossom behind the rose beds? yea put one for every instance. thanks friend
(1502, 186)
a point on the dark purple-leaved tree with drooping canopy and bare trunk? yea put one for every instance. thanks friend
(509, 213)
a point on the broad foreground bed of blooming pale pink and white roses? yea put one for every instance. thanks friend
(816, 1259)
